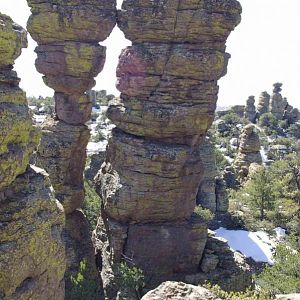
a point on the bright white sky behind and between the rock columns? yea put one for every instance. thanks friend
(265, 48)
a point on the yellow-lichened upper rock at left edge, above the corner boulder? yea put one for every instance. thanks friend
(17, 135)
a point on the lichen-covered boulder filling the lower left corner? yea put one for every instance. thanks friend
(32, 253)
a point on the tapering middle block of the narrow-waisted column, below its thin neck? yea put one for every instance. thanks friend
(62, 152)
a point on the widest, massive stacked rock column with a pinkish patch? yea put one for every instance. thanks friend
(168, 83)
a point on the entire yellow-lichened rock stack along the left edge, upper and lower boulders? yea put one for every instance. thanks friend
(32, 253)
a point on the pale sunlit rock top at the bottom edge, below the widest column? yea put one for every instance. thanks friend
(180, 290)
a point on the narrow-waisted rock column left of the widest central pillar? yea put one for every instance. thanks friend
(69, 55)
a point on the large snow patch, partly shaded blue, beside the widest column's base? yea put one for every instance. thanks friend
(257, 245)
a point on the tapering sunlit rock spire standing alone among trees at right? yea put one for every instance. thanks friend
(248, 152)
